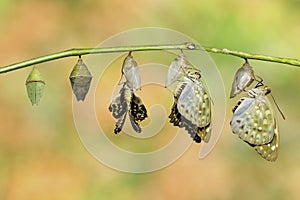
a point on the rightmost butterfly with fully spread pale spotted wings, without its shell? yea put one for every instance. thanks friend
(255, 123)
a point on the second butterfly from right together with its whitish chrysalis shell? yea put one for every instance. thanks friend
(192, 104)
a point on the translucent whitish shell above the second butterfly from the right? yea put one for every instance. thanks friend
(177, 69)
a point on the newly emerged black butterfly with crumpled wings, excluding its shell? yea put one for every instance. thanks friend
(127, 102)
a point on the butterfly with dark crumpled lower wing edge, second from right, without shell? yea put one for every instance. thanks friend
(192, 108)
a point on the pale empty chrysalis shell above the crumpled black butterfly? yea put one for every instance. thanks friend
(131, 71)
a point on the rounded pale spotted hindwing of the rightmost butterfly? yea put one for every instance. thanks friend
(253, 121)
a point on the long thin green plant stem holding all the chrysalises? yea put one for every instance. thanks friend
(185, 46)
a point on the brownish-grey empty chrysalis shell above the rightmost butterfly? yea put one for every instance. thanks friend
(242, 79)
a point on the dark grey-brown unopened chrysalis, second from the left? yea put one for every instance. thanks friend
(80, 79)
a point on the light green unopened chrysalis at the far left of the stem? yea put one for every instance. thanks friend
(35, 86)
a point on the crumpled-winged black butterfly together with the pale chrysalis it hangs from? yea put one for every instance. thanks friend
(127, 102)
